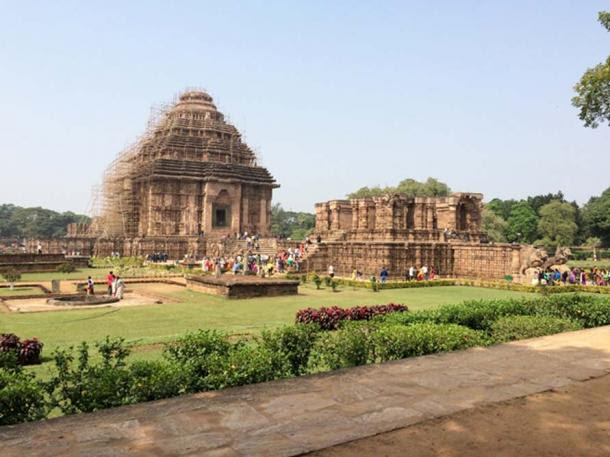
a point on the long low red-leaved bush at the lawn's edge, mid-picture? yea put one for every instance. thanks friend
(331, 317)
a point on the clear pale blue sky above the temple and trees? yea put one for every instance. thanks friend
(334, 95)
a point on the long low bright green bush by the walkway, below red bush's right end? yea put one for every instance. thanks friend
(392, 342)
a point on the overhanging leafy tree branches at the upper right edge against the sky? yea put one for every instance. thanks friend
(593, 90)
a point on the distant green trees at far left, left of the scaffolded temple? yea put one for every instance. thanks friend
(18, 222)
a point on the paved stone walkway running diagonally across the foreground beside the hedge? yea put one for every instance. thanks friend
(295, 416)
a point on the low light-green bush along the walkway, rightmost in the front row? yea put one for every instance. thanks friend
(510, 328)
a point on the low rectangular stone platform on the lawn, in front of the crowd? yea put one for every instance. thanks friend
(242, 286)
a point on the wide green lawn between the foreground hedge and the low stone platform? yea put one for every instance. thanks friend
(157, 323)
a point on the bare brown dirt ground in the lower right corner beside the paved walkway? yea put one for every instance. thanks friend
(572, 421)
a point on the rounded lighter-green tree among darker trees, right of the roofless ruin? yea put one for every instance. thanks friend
(557, 224)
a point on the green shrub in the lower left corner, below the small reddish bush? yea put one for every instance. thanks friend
(22, 397)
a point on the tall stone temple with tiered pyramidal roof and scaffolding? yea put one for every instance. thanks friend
(189, 178)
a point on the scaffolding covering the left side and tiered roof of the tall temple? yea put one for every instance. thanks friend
(176, 130)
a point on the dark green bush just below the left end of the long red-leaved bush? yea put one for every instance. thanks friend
(291, 346)
